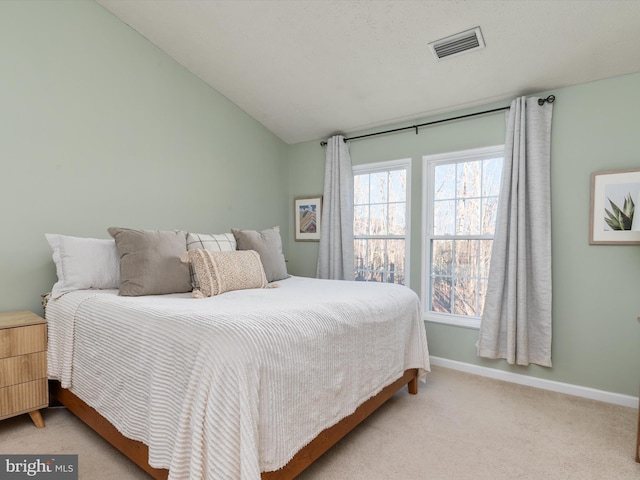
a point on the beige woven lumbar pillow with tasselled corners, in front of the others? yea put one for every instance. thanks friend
(219, 272)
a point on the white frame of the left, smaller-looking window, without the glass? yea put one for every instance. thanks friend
(386, 166)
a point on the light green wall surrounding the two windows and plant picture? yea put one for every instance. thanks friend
(596, 338)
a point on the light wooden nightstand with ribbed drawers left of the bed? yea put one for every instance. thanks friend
(23, 365)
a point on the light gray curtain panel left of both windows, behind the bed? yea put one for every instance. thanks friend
(335, 259)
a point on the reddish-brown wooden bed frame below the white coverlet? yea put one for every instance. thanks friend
(138, 452)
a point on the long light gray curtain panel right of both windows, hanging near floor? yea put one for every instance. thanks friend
(516, 322)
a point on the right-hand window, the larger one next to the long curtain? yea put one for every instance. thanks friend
(462, 190)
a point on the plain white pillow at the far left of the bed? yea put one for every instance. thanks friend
(84, 263)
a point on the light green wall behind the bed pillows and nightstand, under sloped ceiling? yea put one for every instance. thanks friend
(99, 128)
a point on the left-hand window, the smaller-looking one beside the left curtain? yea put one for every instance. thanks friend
(380, 227)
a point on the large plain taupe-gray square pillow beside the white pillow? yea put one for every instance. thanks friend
(150, 261)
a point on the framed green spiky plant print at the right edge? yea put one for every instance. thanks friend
(614, 202)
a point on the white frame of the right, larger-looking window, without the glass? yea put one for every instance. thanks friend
(429, 163)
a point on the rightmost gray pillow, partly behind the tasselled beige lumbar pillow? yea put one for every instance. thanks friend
(268, 244)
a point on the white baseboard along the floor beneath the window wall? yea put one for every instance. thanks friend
(569, 389)
